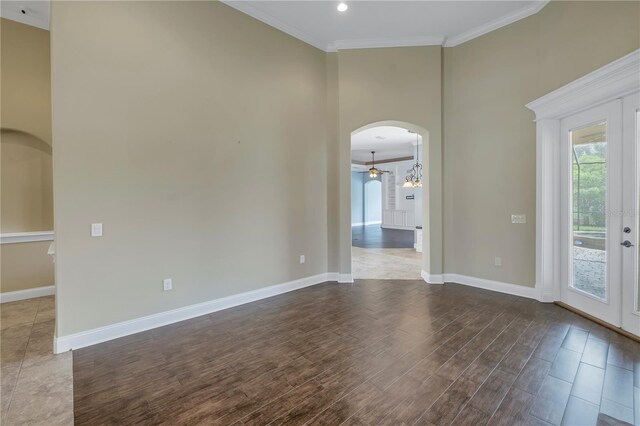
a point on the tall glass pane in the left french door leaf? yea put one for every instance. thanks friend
(589, 203)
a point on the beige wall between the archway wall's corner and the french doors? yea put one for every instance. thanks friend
(489, 148)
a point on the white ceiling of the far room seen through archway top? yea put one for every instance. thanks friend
(387, 141)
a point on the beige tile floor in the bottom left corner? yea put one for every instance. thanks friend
(37, 386)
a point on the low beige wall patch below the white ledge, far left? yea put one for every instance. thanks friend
(24, 266)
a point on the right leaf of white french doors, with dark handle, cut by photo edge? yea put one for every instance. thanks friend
(631, 214)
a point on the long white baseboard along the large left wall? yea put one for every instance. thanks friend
(125, 328)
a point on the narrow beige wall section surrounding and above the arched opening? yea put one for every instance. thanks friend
(397, 84)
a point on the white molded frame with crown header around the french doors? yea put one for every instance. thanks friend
(613, 81)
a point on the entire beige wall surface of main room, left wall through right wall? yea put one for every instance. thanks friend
(215, 149)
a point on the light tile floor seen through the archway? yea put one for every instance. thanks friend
(374, 263)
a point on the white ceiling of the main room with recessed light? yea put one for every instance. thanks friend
(387, 23)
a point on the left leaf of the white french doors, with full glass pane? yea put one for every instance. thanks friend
(591, 208)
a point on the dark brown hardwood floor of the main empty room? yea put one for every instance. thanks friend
(375, 352)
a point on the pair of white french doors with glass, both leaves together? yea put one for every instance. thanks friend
(600, 204)
